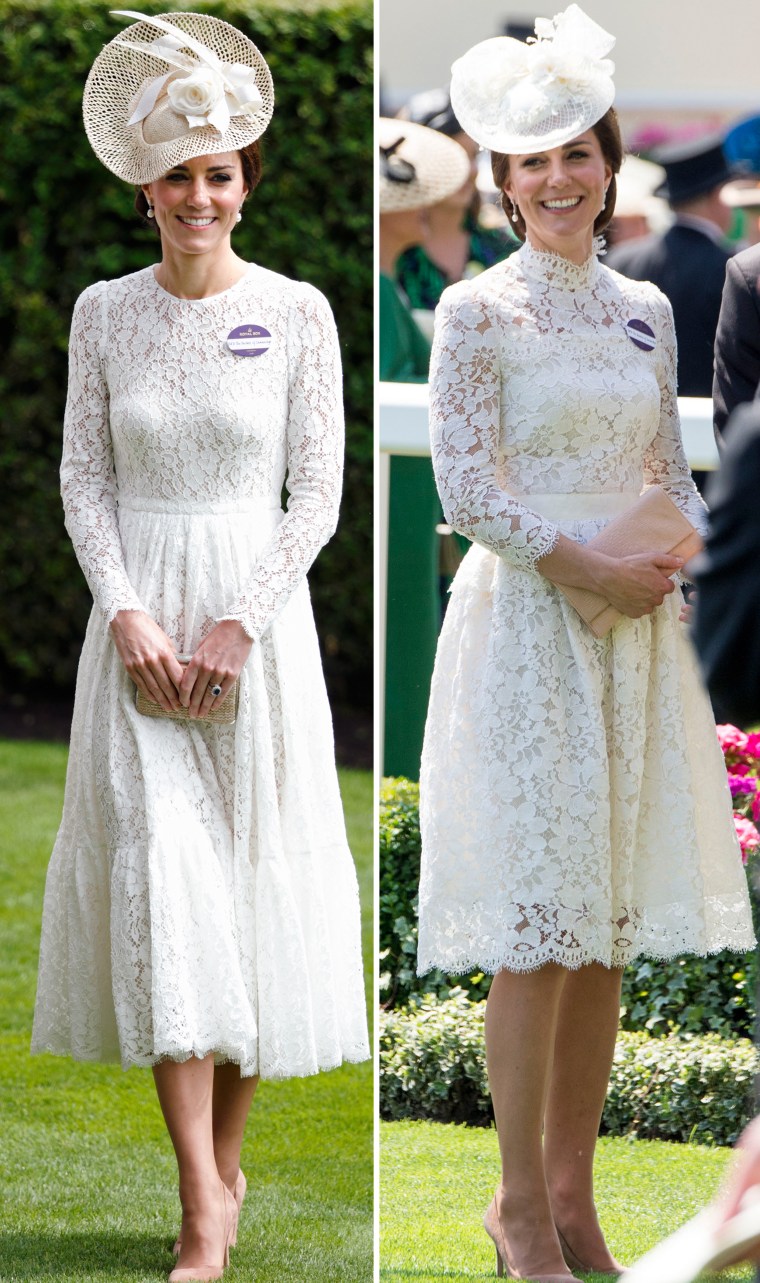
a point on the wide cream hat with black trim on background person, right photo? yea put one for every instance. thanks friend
(419, 167)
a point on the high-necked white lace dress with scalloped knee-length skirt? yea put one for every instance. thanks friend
(574, 803)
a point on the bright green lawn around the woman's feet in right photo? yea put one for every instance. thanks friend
(437, 1180)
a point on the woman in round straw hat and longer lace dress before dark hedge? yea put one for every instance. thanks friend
(201, 910)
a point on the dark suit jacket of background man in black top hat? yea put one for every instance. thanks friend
(690, 268)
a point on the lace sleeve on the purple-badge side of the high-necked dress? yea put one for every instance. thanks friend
(666, 463)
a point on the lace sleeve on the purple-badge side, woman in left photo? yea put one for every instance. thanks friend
(315, 466)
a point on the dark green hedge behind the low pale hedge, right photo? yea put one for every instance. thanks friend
(693, 995)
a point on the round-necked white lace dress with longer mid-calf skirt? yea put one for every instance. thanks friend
(202, 896)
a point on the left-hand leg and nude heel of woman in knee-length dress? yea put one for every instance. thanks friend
(521, 1027)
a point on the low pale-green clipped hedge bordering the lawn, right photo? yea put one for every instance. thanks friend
(694, 1089)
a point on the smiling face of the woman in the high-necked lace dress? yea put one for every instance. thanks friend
(560, 193)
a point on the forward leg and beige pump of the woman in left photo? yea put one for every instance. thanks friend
(186, 1094)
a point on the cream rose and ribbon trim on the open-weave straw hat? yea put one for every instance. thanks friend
(209, 93)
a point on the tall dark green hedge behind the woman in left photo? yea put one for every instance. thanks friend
(66, 223)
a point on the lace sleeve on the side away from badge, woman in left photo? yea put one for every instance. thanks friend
(88, 478)
